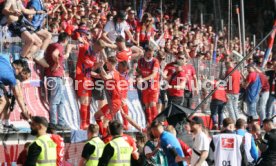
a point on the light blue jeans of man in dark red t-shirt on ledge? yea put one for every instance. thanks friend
(56, 98)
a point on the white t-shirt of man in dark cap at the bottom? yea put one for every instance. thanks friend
(201, 143)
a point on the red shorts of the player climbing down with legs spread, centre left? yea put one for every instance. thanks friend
(115, 106)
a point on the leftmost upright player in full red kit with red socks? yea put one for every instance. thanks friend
(87, 59)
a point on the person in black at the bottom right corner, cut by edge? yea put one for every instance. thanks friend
(268, 157)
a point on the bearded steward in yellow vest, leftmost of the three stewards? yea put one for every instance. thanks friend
(42, 152)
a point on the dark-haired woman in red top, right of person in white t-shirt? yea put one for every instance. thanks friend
(145, 30)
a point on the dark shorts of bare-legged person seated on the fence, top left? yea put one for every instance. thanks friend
(20, 26)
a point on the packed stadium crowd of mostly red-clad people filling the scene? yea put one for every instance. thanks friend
(117, 49)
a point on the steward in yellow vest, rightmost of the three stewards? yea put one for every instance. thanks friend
(117, 152)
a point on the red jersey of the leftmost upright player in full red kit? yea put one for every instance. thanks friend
(86, 60)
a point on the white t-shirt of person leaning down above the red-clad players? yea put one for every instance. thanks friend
(114, 31)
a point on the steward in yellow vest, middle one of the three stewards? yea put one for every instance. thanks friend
(93, 149)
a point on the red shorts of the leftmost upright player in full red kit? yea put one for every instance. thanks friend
(84, 88)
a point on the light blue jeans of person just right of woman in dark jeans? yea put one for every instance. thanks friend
(232, 105)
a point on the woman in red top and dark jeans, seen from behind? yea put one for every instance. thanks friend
(218, 102)
